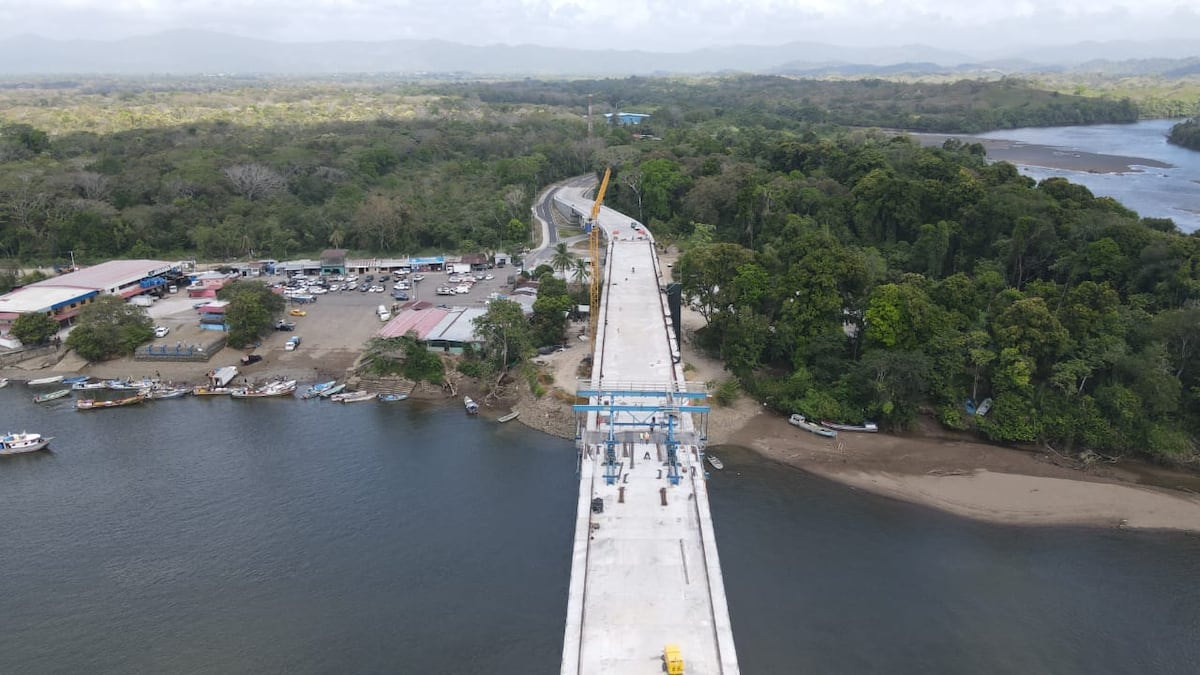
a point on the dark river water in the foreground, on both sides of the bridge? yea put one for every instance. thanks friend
(283, 536)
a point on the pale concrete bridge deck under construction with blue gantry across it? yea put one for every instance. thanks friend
(646, 570)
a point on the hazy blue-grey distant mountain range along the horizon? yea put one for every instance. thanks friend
(188, 52)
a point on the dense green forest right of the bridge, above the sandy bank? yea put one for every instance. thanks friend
(863, 277)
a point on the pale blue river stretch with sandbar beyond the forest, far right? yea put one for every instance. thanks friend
(1171, 193)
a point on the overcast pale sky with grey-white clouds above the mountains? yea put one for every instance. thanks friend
(659, 26)
